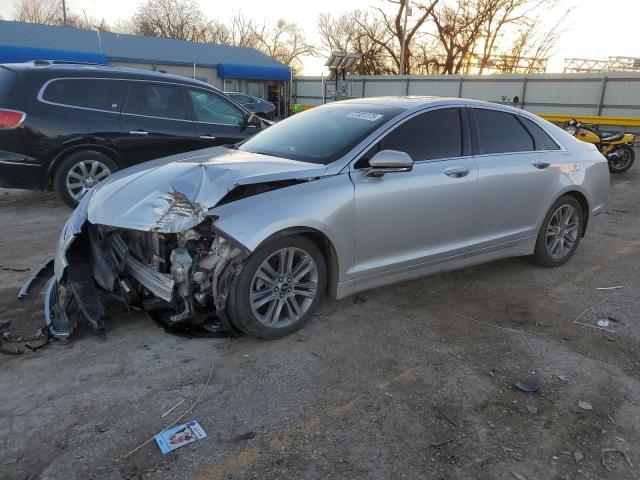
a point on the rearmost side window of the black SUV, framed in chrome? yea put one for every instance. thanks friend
(87, 93)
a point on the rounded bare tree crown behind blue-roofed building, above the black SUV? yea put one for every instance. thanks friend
(177, 19)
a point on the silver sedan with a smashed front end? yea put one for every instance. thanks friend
(338, 199)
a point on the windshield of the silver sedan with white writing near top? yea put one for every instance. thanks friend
(320, 135)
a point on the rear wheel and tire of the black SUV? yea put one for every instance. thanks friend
(79, 172)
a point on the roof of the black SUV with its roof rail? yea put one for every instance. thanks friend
(94, 70)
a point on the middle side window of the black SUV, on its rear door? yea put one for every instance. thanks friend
(162, 100)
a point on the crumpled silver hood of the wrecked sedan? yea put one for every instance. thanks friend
(173, 194)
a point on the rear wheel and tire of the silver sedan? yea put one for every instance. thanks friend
(560, 233)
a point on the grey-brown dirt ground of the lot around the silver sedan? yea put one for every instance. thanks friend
(395, 383)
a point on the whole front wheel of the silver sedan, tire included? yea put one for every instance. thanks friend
(278, 288)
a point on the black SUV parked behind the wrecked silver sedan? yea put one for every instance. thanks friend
(68, 126)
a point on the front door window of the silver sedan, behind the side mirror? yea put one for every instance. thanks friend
(430, 136)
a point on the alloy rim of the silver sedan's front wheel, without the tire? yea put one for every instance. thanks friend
(283, 287)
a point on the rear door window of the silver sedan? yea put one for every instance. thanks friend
(501, 132)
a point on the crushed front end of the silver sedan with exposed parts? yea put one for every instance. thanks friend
(177, 278)
